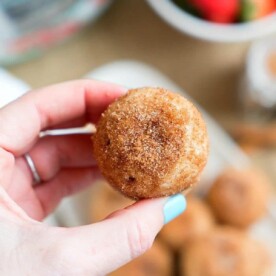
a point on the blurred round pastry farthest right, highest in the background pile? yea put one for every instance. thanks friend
(239, 197)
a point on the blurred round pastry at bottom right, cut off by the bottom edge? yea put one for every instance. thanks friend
(226, 252)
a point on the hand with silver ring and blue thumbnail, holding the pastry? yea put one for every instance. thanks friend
(65, 165)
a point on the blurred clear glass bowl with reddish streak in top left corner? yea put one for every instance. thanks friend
(28, 29)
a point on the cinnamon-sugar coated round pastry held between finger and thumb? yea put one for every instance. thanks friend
(151, 143)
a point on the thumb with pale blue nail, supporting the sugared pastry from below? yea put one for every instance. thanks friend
(102, 247)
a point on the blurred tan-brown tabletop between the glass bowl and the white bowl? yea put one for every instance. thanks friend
(210, 72)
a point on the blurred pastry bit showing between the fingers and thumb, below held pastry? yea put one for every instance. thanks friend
(105, 201)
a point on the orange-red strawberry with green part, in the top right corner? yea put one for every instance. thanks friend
(255, 9)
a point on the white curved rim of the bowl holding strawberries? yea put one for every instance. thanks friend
(206, 30)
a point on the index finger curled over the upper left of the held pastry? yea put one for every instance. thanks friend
(22, 120)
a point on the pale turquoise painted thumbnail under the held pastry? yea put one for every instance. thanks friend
(174, 206)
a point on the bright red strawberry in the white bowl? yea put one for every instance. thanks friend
(220, 11)
